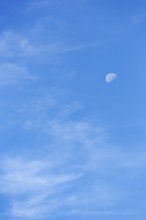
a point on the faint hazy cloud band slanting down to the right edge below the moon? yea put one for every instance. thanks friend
(78, 138)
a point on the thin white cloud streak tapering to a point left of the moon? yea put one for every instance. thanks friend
(17, 45)
